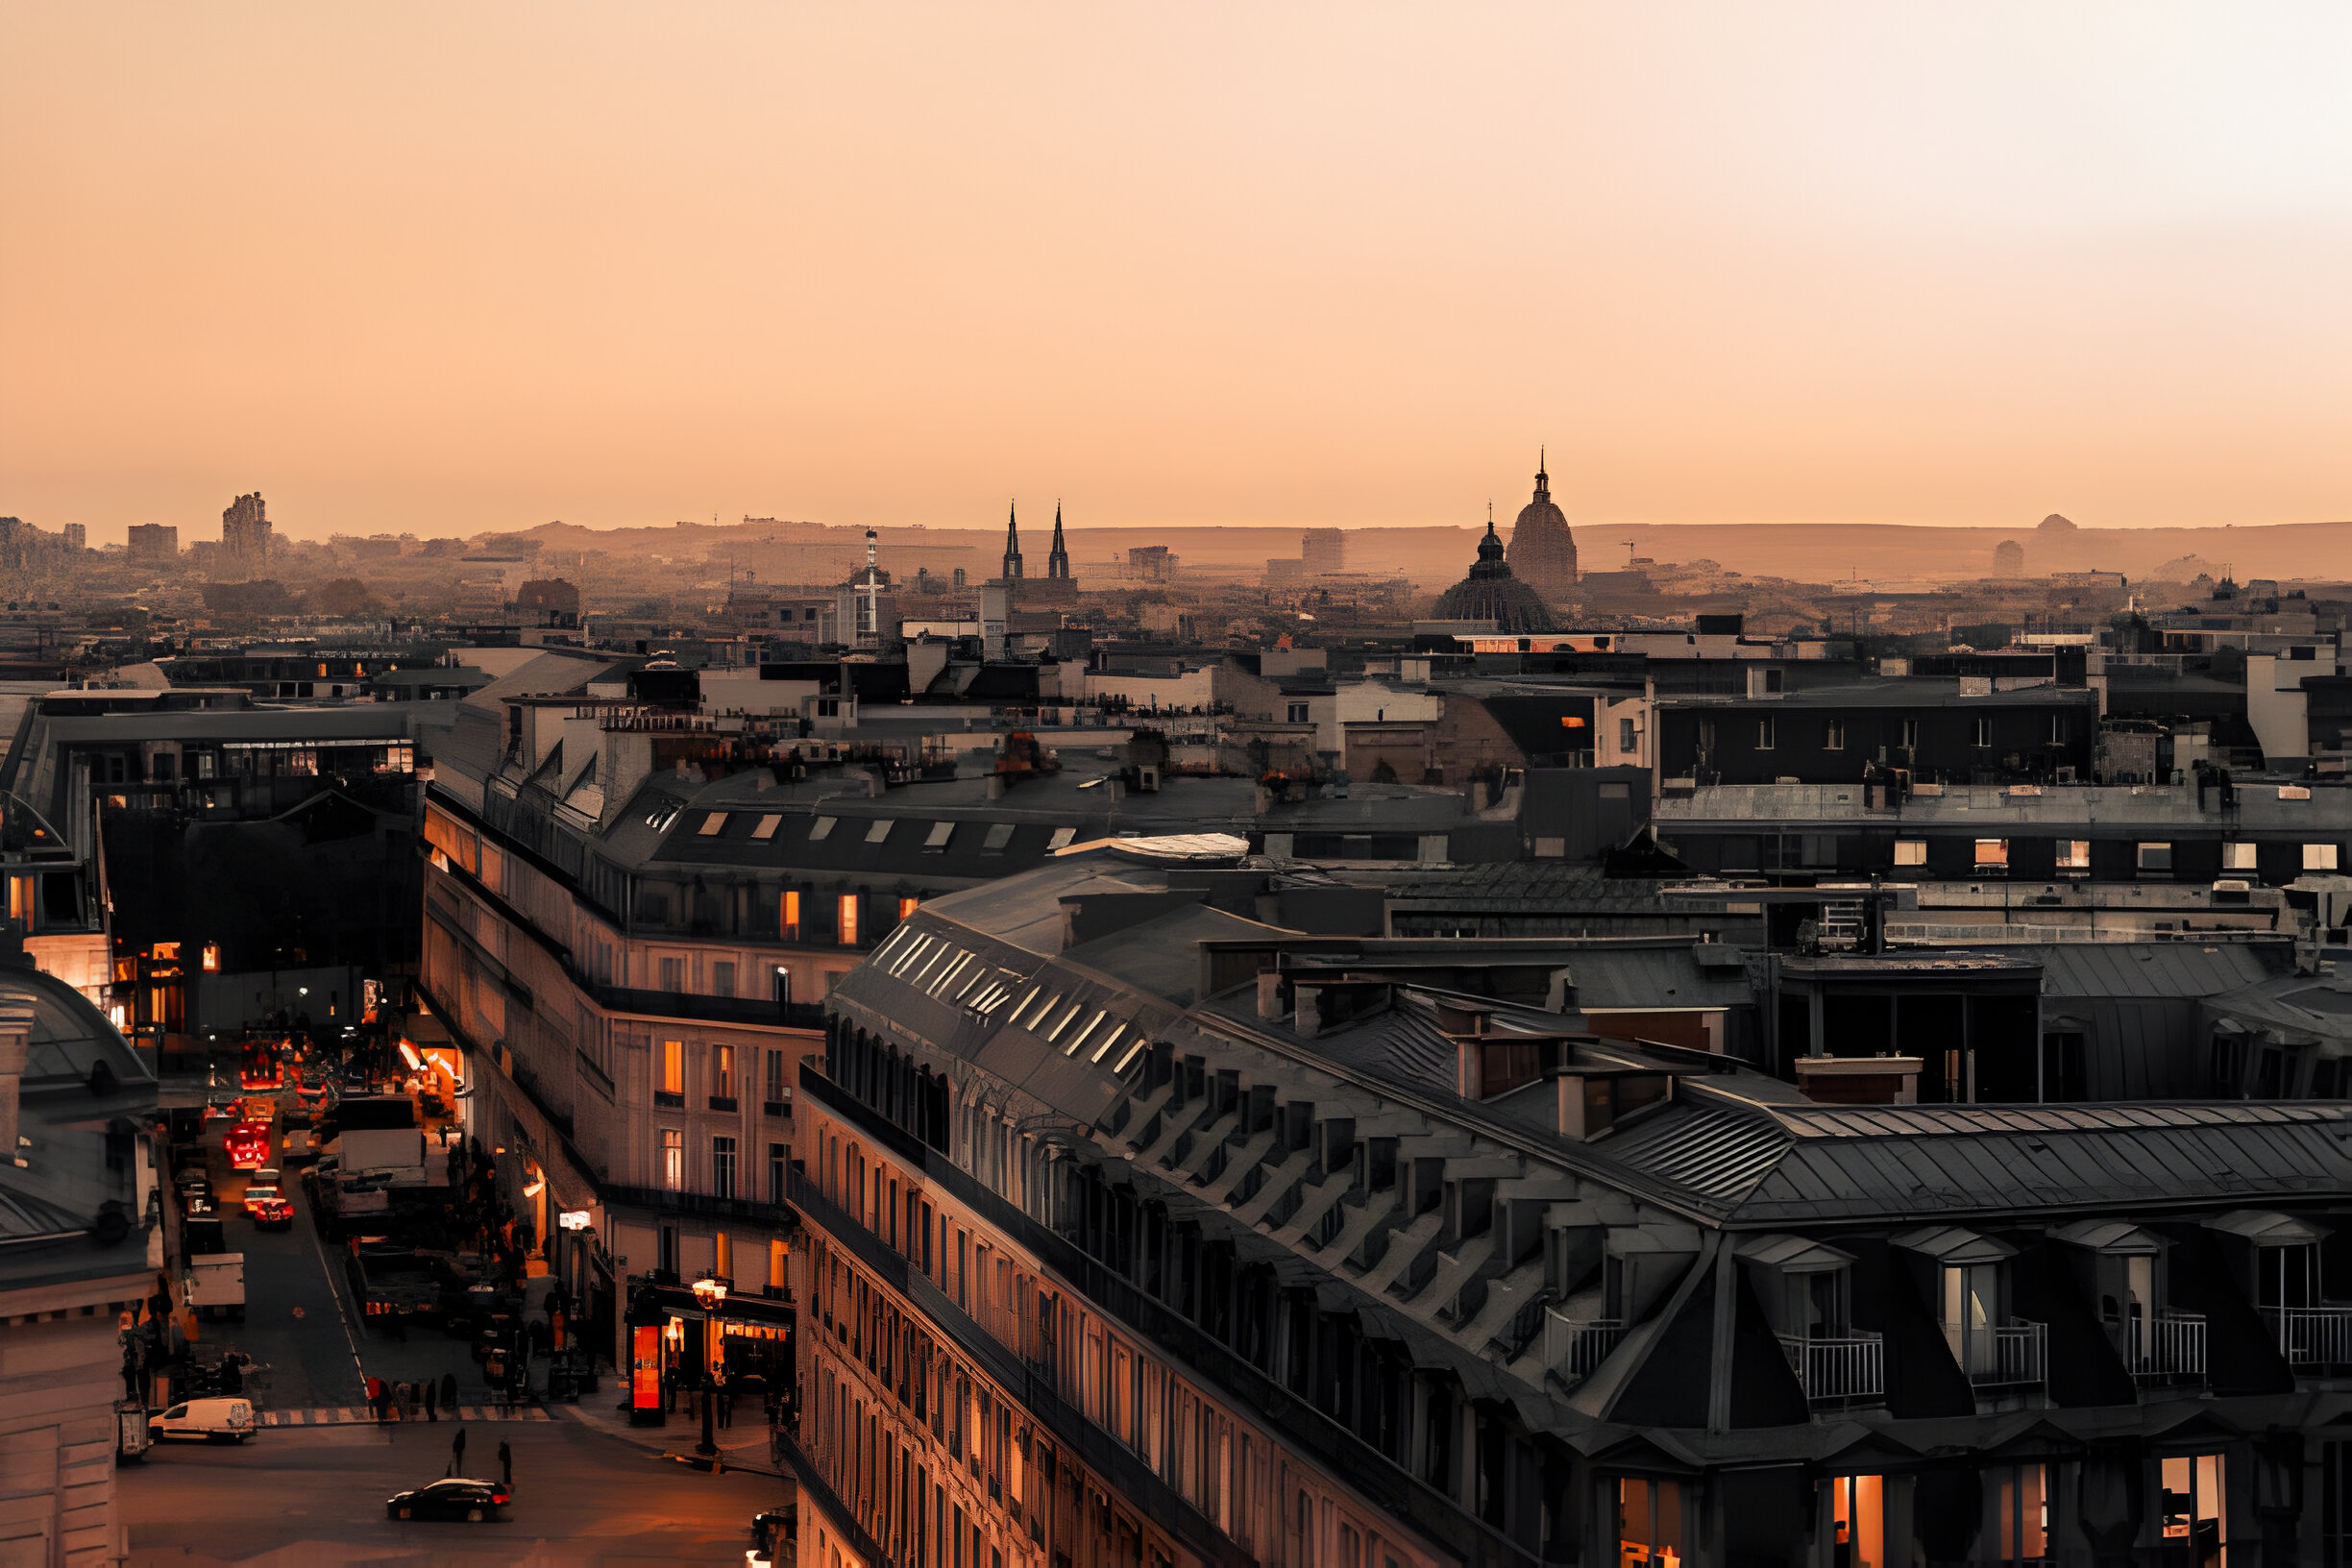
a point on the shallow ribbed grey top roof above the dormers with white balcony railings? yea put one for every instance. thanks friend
(1803, 1165)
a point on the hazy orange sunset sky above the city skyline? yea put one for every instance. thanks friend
(469, 267)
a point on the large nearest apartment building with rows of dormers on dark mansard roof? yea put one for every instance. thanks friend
(1142, 1233)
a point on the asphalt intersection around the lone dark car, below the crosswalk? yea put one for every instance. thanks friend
(316, 1496)
